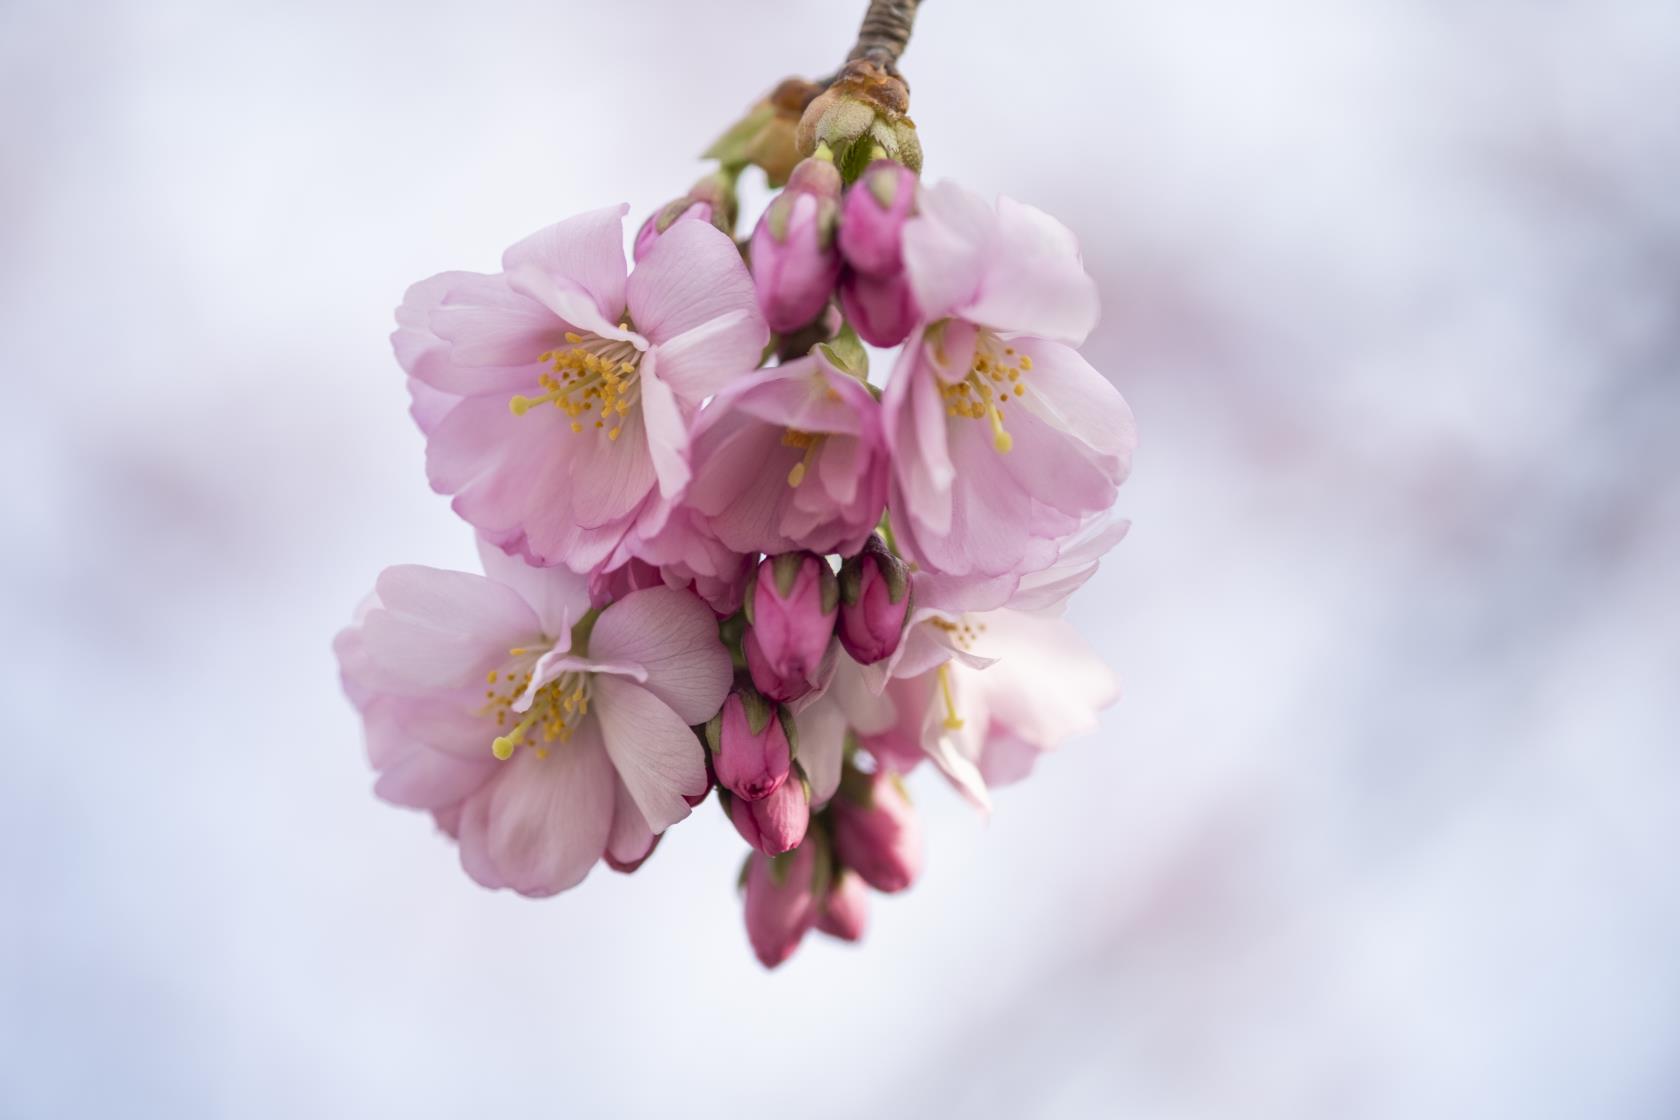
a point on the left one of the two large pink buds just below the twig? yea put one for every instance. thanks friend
(795, 259)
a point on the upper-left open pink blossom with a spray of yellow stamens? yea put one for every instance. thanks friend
(577, 379)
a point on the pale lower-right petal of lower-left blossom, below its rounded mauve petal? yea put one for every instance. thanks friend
(656, 753)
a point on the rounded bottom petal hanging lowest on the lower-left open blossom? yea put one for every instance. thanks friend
(550, 819)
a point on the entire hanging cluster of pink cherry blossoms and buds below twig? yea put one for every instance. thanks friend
(715, 555)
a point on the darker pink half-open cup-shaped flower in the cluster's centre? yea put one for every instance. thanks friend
(790, 459)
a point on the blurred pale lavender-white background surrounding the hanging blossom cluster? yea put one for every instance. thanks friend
(1383, 827)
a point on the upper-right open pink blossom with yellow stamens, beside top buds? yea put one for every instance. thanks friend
(1004, 439)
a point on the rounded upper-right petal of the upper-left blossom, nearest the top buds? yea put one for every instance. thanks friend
(693, 275)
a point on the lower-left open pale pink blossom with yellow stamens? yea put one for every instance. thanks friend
(540, 731)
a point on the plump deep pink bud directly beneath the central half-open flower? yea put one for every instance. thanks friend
(792, 605)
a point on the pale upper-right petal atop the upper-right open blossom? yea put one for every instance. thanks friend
(1036, 281)
